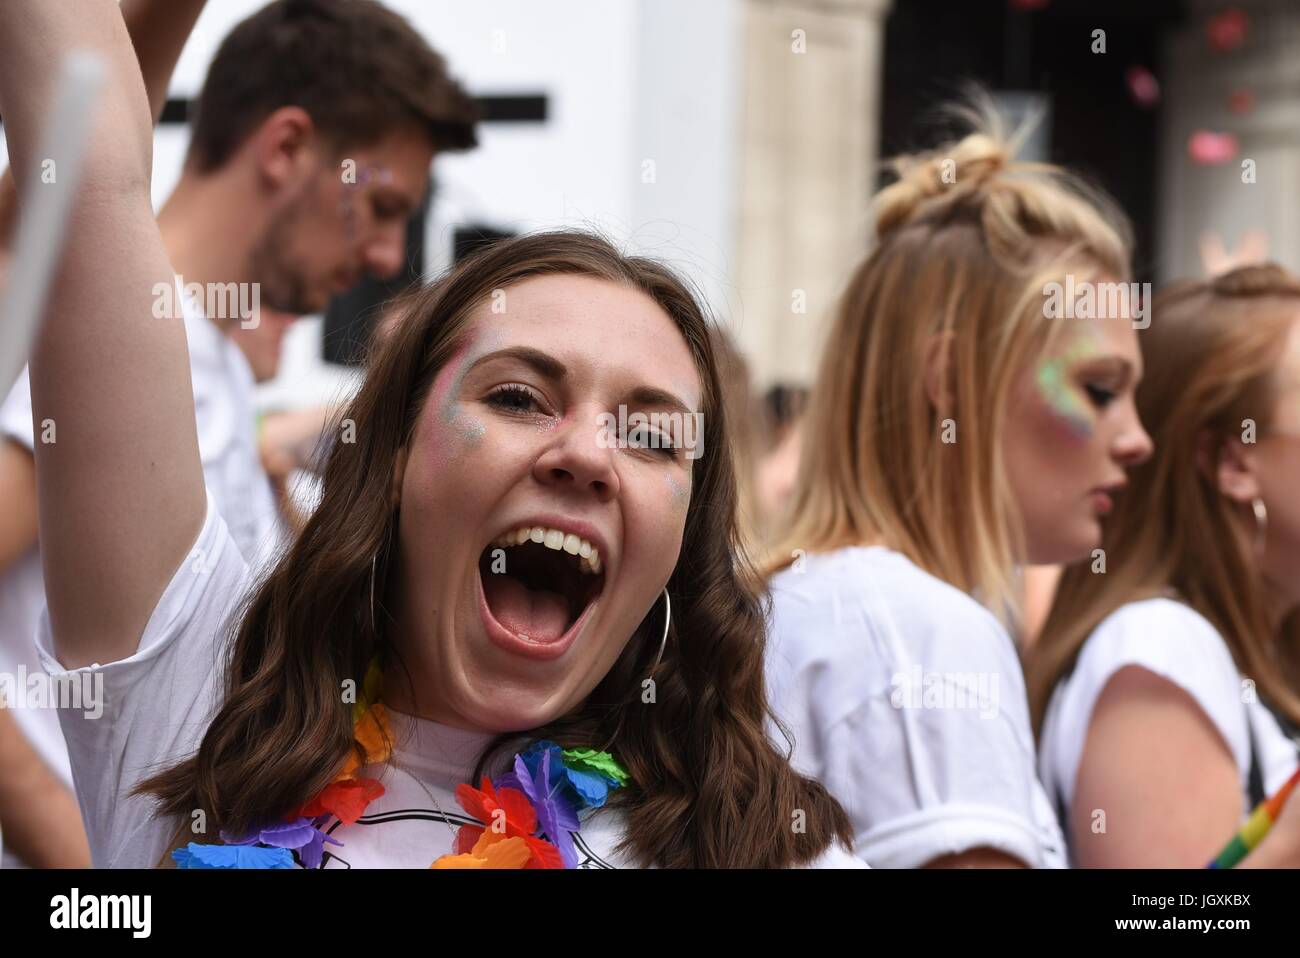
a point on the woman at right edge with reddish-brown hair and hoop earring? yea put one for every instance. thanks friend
(1167, 688)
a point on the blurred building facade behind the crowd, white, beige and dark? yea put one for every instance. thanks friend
(742, 140)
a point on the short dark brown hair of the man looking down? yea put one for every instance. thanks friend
(357, 68)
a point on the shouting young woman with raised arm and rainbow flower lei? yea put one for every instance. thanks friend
(506, 638)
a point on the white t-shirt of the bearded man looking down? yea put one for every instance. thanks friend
(224, 393)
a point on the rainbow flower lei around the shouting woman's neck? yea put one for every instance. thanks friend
(528, 816)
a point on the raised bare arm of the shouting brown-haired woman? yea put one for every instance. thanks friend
(120, 489)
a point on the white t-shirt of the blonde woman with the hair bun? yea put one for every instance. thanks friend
(905, 697)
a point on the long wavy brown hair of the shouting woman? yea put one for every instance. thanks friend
(709, 790)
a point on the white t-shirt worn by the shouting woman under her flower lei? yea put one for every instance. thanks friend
(162, 700)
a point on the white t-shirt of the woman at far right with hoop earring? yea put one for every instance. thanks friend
(1176, 643)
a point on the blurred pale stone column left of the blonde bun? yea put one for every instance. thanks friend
(808, 161)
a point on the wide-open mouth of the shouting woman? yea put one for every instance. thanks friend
(539, 586)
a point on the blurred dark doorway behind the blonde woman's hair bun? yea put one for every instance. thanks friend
(933, 47)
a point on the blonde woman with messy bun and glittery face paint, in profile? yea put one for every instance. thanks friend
(959, 430)
